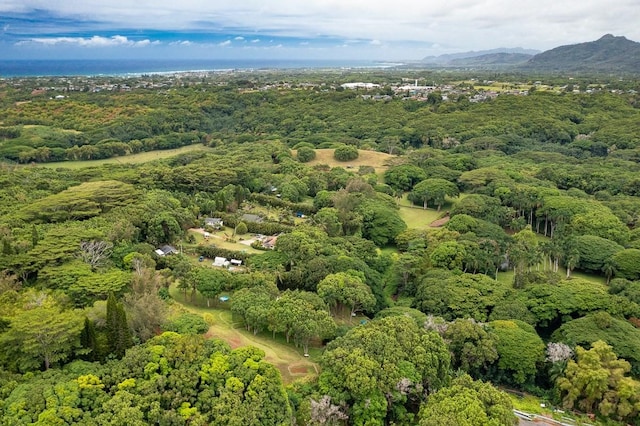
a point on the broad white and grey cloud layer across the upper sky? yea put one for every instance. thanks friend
(454, 25)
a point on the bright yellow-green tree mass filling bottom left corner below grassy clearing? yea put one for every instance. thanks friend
(171, 379)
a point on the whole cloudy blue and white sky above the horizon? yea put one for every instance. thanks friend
(398, 30)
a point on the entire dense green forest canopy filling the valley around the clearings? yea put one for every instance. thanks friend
(551, 187)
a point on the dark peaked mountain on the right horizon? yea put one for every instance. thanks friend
(608, 54)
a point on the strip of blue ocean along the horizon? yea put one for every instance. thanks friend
(133, 67)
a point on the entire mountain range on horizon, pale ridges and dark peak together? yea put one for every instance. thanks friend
(607, 54)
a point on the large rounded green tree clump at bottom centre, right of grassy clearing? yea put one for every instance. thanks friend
(384, 368)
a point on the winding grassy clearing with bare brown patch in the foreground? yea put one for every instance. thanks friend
(288, 359)
